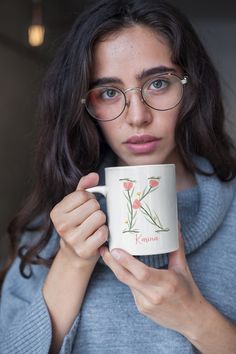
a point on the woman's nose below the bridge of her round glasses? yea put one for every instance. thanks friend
(137, 112)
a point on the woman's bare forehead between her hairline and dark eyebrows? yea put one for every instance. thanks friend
(129, 52)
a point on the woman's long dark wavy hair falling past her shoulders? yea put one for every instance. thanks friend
(70, 143)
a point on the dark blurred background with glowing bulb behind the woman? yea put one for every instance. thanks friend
(23, 65)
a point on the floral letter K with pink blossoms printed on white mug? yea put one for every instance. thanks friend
(137, 204)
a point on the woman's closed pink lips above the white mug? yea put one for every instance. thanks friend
(142, 144)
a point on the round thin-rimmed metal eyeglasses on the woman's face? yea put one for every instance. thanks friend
(162, 92)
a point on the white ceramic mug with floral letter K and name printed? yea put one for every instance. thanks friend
(141, 208)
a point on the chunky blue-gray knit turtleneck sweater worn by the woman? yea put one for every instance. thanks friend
(109, 321)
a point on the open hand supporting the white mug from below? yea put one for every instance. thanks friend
(168, 297)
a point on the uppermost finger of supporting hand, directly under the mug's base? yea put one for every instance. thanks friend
(138, 269)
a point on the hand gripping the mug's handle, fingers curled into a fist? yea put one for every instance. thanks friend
(80, 223)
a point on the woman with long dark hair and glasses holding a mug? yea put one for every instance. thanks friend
(59, 295)
